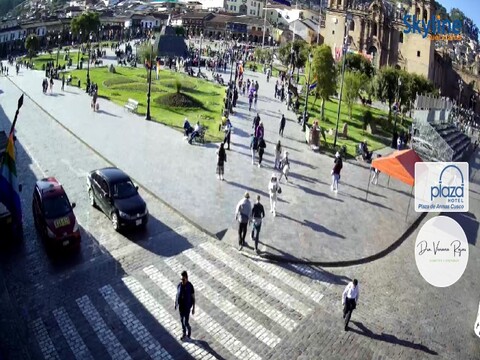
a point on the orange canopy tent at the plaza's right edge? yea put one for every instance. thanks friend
(399, 165)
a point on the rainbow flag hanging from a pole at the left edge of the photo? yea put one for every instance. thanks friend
(9, 190)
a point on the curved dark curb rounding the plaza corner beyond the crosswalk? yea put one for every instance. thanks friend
(346, 263)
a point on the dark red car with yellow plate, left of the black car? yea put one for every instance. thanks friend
(53, 214)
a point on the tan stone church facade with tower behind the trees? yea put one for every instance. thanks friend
(376, 31)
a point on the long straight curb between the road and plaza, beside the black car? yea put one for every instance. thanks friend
(144, 188)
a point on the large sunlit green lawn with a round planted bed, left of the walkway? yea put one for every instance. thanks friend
(132, 83)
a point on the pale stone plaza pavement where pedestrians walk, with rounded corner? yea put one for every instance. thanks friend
(312, 223)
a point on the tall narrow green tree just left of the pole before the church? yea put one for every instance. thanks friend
(325, 74)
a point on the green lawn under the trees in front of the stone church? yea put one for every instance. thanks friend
(381, 138)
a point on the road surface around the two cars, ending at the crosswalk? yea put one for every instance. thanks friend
(59, 154)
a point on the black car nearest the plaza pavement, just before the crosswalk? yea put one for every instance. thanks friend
(115, 194)
